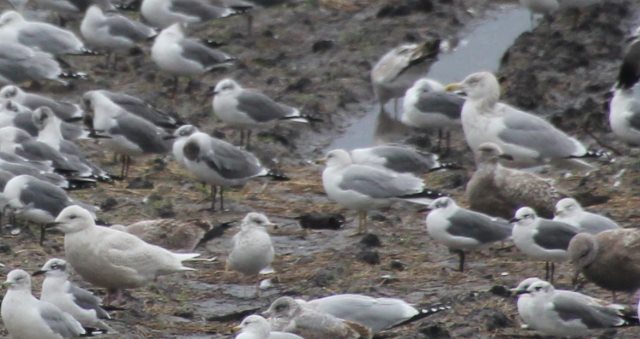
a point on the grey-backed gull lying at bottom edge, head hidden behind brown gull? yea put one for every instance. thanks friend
(378, 314)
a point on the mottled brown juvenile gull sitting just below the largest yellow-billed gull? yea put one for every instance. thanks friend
(499, 191)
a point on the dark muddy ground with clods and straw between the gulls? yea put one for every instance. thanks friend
(317, 55)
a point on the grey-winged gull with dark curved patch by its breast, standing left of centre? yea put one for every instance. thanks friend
(220, 164)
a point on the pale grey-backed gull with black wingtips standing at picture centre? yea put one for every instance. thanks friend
(361, 187)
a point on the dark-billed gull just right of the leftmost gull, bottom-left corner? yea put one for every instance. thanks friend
(79, 303)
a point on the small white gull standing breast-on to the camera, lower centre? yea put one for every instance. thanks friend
(252, 250)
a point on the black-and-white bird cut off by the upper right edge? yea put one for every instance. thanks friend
(624, 108)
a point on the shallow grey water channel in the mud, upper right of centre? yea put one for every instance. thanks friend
(480, 49)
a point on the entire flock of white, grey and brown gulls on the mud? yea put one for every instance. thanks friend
(40, 160)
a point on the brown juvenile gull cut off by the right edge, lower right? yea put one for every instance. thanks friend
(610, 259)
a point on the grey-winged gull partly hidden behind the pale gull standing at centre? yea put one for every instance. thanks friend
(399, 158)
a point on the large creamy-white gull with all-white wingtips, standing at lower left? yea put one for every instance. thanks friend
(113, 259)
